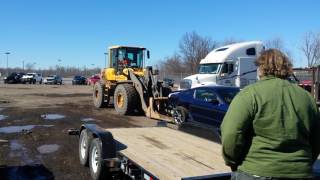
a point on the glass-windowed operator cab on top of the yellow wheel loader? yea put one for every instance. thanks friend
(127, 57)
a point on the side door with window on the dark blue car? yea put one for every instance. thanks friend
(205, 107)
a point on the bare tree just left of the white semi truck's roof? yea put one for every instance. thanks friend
(193, 48)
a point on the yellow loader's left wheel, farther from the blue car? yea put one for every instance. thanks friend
(99, 98)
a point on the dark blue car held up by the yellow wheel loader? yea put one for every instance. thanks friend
(206, 105)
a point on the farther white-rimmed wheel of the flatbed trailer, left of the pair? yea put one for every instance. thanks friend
(84, 143)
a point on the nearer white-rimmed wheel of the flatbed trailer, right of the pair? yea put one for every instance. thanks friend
(97, 167)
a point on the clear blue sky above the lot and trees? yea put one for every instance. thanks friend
(79, 31)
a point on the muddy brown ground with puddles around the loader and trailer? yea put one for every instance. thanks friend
(34, 120)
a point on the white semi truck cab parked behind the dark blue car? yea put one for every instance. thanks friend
(231, 65)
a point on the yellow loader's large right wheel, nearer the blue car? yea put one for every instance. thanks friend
(125, 99)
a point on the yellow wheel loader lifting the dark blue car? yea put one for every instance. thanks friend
(132, 86)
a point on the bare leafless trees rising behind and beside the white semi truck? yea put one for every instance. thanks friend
(194, 47)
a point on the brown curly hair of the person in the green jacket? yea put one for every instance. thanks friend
(274, 62)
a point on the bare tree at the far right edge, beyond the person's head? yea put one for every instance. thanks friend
(311, 48)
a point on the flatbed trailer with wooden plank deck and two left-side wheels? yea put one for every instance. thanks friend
(149, 153)
